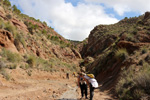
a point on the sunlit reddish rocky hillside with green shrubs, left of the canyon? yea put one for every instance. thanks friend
(27, 42)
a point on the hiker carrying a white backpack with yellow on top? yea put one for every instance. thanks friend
(92, 82)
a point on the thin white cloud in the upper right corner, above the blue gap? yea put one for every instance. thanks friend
(122, 6)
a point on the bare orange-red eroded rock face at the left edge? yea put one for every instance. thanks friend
(7, 41)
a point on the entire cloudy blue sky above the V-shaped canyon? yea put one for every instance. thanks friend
(74, 19)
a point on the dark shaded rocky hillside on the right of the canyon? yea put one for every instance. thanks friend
(118, 55)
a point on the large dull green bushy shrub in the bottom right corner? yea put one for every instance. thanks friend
(134, 85)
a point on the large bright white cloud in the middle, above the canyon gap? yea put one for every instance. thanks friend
(72, 22)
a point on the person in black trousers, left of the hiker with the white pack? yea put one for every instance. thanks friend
(83, 86)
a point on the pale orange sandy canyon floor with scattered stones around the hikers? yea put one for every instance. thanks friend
(42, 85)
